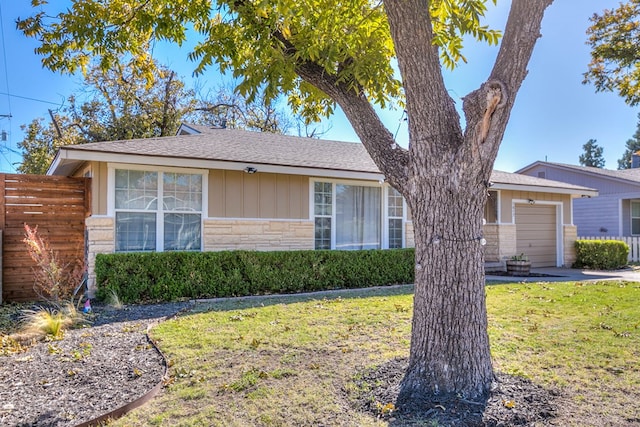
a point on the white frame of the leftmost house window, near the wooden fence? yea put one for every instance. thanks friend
(159, 211)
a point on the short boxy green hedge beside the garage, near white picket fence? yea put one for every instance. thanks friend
(601, 254)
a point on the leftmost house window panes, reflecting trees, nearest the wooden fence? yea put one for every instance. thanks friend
(158, 211)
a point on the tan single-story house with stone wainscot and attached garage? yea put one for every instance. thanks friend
(219, 189)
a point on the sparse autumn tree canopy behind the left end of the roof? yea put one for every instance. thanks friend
(117, 104)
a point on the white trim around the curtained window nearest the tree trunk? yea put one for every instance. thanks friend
(384, 218)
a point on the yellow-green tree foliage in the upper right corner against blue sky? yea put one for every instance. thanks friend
(614, 37)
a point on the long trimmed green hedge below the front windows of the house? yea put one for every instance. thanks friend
(168, 276)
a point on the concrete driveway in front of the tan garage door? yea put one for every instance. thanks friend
(557, 274)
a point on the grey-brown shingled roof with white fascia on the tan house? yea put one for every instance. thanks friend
(233, 149)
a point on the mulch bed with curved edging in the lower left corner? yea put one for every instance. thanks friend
(90, 372)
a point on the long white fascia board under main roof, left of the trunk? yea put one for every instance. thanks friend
(214, 164)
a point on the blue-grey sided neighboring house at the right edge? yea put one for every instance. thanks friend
(616, 210)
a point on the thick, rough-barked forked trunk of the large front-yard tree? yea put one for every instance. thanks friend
(444, 176)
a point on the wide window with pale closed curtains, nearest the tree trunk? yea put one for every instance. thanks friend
(350, 216)
